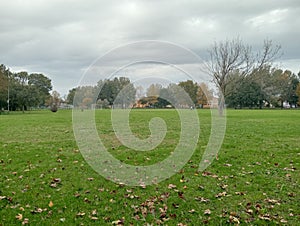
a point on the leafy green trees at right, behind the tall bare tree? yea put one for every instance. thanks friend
(268, 87)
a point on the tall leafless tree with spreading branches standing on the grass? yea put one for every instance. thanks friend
(233, 56)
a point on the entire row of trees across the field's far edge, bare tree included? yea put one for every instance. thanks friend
(244, 78)
